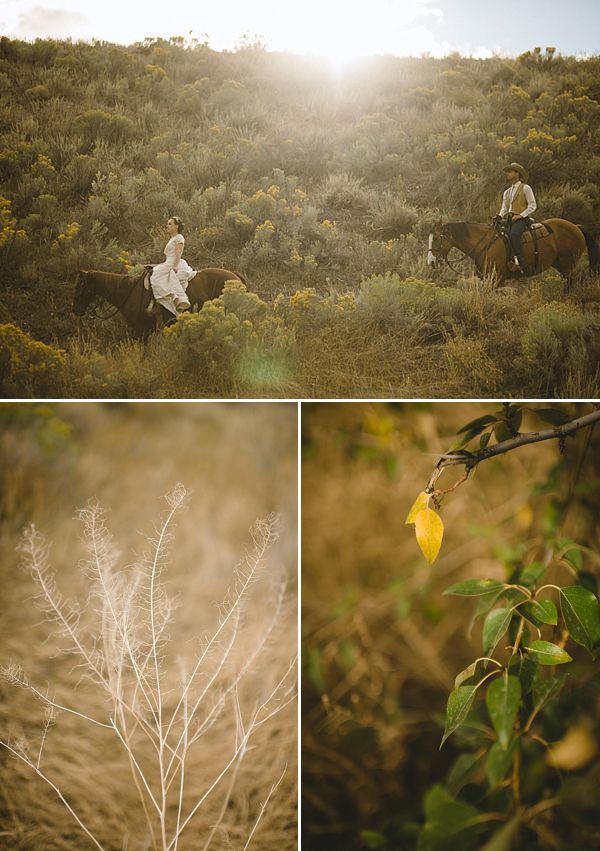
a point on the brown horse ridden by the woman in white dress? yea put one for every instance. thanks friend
(130, 297)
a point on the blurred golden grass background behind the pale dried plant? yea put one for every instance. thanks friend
(240, 459)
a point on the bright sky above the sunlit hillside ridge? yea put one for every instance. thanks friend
(340, 29)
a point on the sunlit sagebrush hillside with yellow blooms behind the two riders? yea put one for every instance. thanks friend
(304, 180)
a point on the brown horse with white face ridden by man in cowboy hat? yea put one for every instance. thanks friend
(559, 243)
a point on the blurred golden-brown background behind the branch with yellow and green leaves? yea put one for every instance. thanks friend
(381, 645)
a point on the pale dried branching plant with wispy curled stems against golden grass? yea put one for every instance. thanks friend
(151, 715)
